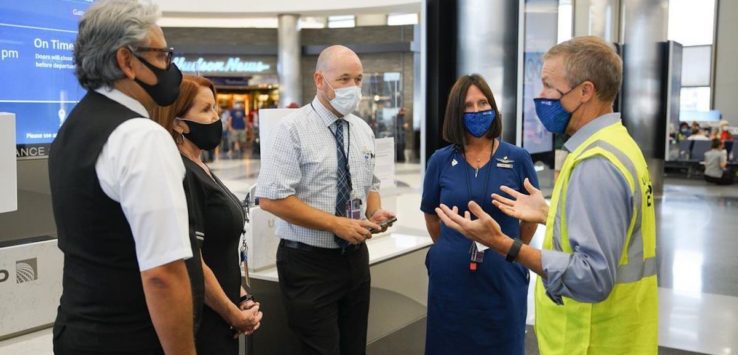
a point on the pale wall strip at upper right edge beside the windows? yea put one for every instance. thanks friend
(726, 70)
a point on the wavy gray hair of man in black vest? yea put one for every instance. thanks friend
(106, 26)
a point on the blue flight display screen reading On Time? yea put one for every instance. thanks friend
(37, 67)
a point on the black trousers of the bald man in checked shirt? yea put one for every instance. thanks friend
(326, 295)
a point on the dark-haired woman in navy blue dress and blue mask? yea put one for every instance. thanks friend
(476, 299)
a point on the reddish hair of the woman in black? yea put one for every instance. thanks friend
(165, 115)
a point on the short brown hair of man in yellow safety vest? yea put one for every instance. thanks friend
(589, 58)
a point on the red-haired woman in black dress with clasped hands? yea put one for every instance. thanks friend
(215, 215)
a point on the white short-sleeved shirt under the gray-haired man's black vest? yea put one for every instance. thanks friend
(141, 168)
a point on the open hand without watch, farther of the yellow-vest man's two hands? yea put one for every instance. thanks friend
(528, 208)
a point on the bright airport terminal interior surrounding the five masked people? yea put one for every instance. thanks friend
(679, 93)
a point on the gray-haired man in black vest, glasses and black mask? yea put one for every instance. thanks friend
(118, 198)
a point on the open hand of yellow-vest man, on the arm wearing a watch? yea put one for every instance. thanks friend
(484, 229)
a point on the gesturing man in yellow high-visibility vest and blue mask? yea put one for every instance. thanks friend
(597, 291)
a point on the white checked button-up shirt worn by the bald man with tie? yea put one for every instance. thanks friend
(304, 163)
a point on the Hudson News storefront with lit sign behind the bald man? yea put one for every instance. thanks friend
(243, 64)
